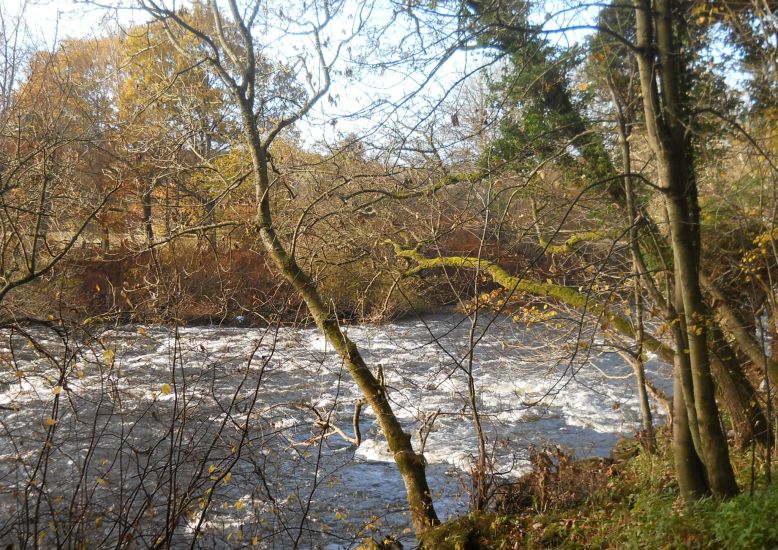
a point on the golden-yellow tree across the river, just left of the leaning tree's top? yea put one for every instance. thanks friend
(175, 126)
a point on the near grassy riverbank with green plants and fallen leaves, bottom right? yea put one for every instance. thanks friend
(633, 503)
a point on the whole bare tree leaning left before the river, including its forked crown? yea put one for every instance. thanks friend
(231, 51)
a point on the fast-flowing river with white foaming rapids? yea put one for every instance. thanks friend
(129, 434)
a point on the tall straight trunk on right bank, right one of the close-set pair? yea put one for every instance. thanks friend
(666, 129)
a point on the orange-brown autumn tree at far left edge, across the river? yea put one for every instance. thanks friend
(53, 131)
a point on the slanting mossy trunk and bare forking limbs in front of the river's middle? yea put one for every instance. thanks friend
(240, 78)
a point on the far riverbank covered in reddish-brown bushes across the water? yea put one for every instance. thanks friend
(188, 285)
